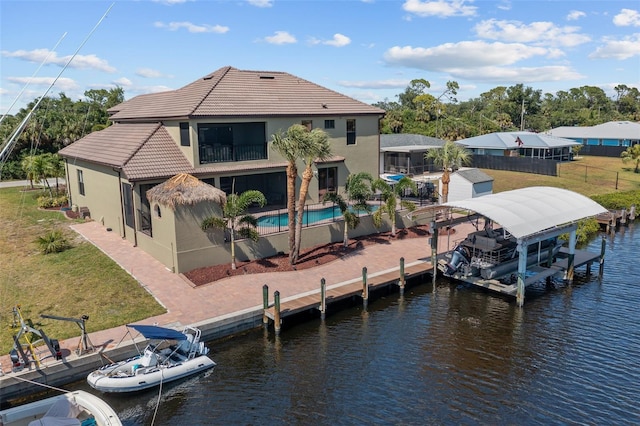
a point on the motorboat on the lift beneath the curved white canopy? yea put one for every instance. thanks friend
(491, 254)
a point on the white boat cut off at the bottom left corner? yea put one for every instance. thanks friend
(70, 408)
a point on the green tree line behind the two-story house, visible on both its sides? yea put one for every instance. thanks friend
(59, 121)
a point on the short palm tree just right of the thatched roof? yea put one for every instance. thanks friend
(236, 219)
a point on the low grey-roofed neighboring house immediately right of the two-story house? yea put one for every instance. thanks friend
(404, 153)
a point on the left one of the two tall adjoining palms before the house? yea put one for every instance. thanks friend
(290, 145)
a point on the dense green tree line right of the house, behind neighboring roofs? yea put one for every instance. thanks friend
(504, 109)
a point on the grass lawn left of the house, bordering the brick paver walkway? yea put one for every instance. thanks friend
(79, 281)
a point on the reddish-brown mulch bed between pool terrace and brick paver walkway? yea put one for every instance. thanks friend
(315, 256)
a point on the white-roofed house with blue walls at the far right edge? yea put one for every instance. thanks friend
(604, 139)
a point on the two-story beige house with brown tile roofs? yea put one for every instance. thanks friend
(217, 129)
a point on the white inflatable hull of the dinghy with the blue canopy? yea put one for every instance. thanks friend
(116, 378)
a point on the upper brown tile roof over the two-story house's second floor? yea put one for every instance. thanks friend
(230, 92)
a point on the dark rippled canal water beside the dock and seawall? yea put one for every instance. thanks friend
(449, 355)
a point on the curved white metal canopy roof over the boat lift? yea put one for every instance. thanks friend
(527, 211)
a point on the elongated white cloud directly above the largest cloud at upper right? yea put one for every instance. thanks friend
(535, 32)
